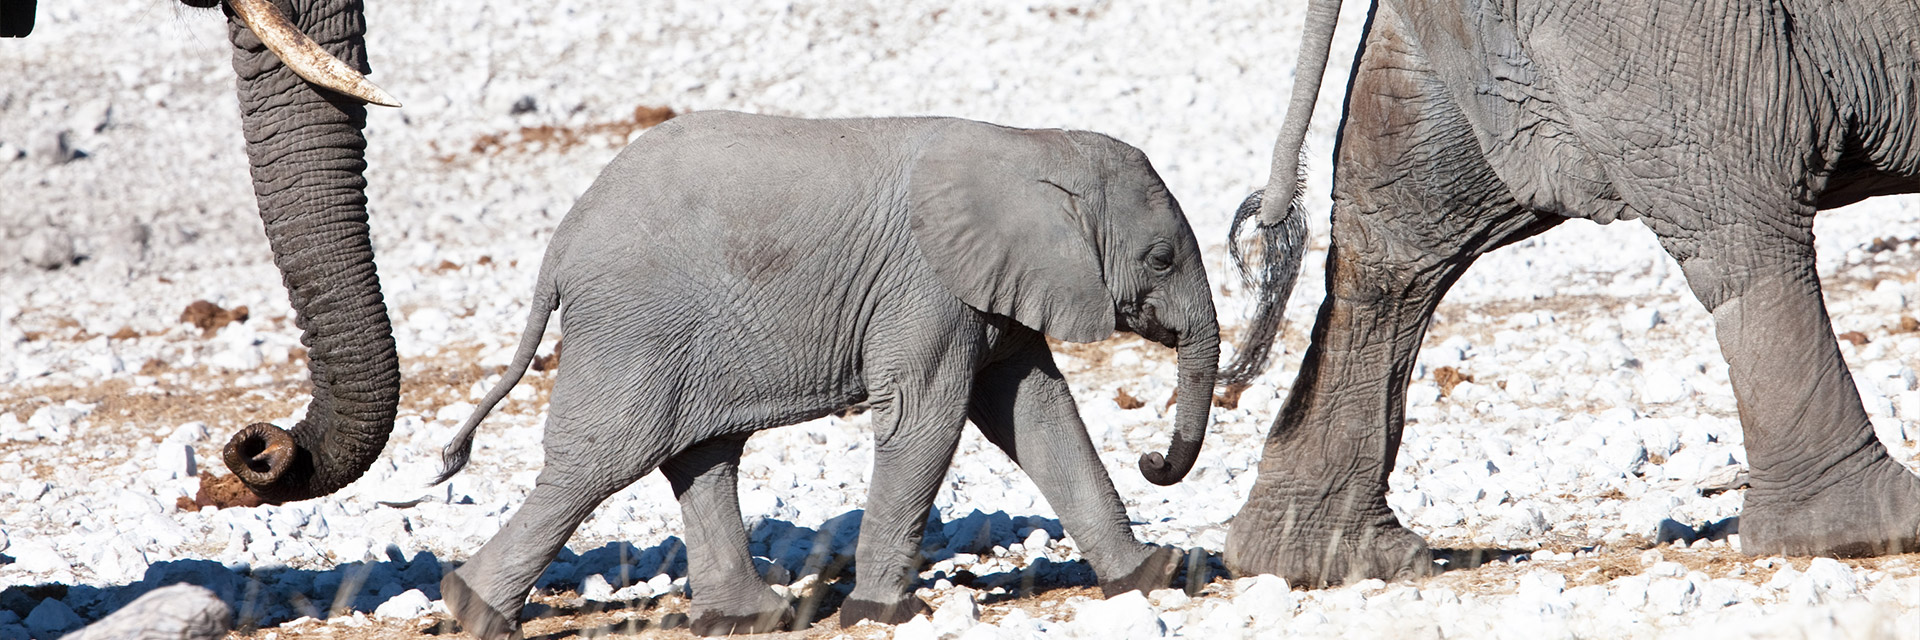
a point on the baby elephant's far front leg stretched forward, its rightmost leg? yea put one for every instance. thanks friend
(1024, 406)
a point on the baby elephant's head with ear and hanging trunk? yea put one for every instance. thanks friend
(1072, 234)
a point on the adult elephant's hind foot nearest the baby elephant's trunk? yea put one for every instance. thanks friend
(1322, 554)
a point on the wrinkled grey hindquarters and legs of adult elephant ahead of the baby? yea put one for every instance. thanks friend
(1723, 126)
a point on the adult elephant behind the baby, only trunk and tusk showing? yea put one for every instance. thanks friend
(302, 109)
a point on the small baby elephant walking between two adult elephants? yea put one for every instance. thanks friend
(731, 274)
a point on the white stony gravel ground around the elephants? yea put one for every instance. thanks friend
(1598, 405)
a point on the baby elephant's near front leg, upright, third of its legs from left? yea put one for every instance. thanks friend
(919, 401)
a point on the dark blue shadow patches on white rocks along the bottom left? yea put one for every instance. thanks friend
(784, 553)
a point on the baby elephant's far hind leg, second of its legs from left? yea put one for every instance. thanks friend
(729, 595)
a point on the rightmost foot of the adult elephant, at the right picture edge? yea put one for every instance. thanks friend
(1867, 514)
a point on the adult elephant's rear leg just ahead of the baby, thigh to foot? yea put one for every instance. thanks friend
(1414, 207)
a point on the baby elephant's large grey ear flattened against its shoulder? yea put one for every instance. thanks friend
(997, 214)
